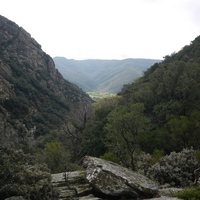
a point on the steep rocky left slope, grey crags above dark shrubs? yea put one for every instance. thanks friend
(34, 97)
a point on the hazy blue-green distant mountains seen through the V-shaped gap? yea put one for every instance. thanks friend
(102, 75)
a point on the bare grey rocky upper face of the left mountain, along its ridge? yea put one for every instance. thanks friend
(17, 45)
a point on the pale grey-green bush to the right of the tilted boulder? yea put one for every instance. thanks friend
(176, 169)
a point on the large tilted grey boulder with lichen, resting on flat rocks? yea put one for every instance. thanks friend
(114, 180)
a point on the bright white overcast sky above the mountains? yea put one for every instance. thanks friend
(107, 29)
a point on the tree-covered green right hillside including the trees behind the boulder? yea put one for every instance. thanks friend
(158, 112)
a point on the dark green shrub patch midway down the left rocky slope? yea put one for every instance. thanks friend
(31, 96)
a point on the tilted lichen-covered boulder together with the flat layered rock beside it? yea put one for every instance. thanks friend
(102, 179)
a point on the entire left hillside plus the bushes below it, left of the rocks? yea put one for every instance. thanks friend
(38, 109)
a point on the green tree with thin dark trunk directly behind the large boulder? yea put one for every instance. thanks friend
(124, 126)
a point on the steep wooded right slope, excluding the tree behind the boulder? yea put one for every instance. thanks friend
(170, 92)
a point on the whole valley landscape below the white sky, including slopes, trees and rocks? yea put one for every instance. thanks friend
(49, 125)
